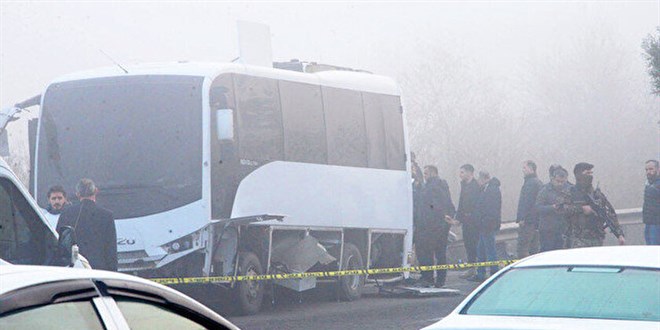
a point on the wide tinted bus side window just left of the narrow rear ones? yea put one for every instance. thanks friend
(344, 119)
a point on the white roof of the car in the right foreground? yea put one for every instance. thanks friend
(625, 256)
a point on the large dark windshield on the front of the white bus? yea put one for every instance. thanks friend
(138, 137)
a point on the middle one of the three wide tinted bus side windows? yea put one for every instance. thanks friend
(304, 127)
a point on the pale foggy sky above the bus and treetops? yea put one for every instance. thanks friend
(40, 41)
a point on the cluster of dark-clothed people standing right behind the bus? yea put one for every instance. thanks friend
(479, 213)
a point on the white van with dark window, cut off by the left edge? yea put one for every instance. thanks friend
(26, 238)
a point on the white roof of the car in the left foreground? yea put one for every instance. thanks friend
(14, 277)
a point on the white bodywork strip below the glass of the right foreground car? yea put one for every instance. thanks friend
(457, 321)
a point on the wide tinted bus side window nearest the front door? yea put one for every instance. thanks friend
(259, 118)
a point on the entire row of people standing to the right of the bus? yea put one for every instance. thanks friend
(550, 216)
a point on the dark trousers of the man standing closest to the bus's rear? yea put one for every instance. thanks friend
(433, 242)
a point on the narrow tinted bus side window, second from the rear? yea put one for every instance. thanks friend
(373, 116)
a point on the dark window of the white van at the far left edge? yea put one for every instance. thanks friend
(23, 235)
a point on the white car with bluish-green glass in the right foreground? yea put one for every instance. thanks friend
(615, 287)
